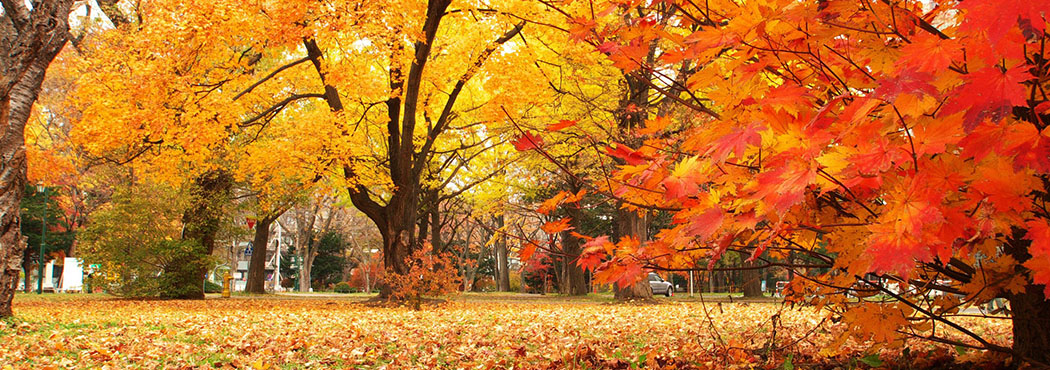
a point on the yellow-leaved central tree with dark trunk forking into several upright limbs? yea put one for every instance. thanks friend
(416, 117)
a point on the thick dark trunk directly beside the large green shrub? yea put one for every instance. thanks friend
(184, 275)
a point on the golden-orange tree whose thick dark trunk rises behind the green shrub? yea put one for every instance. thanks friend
(194, 124)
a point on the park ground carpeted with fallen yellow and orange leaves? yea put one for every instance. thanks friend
(291, 334)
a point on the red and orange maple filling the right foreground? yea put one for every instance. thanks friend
(904, 139)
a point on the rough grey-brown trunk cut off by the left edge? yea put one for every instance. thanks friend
(34, 38)
